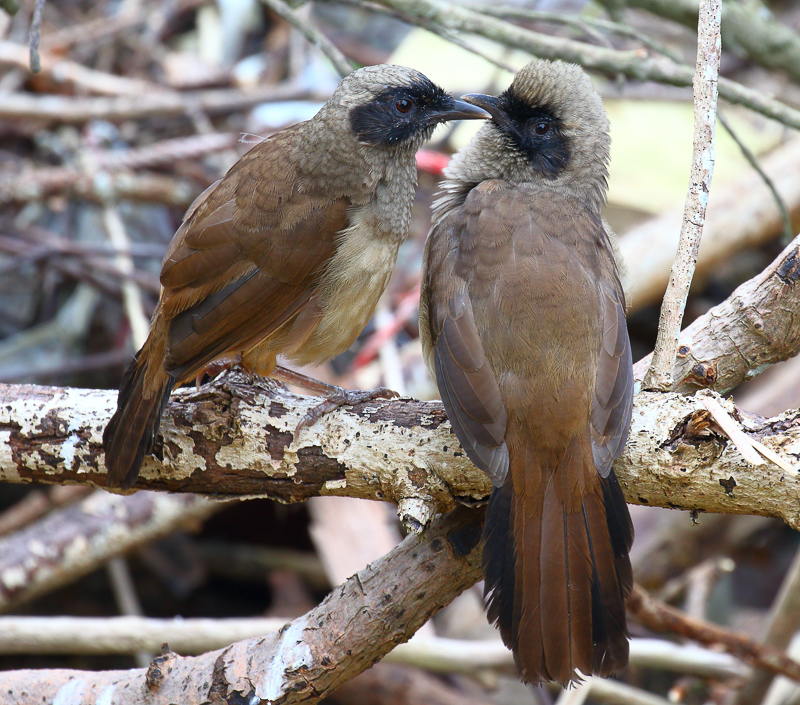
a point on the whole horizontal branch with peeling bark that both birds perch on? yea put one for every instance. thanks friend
(236, 439)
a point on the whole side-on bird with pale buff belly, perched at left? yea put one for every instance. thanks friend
(288, 253)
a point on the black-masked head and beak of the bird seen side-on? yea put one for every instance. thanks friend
(396, 106)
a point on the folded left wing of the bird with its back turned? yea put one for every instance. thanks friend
(467, 385)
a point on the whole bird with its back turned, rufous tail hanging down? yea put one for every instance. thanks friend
(522, 318)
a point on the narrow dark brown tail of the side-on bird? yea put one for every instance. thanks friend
(130, 433)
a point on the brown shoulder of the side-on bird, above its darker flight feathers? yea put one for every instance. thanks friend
(262, 215)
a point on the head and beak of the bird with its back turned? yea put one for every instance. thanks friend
(548, 125)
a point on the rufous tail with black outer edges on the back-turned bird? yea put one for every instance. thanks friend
(556, 566)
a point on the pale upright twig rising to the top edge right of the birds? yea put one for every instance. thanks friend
(659, 376)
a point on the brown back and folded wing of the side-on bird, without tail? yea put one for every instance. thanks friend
(247, 258)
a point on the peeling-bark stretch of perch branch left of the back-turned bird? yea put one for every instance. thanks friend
(235, 438)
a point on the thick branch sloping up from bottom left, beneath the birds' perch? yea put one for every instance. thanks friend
(357, 624)
